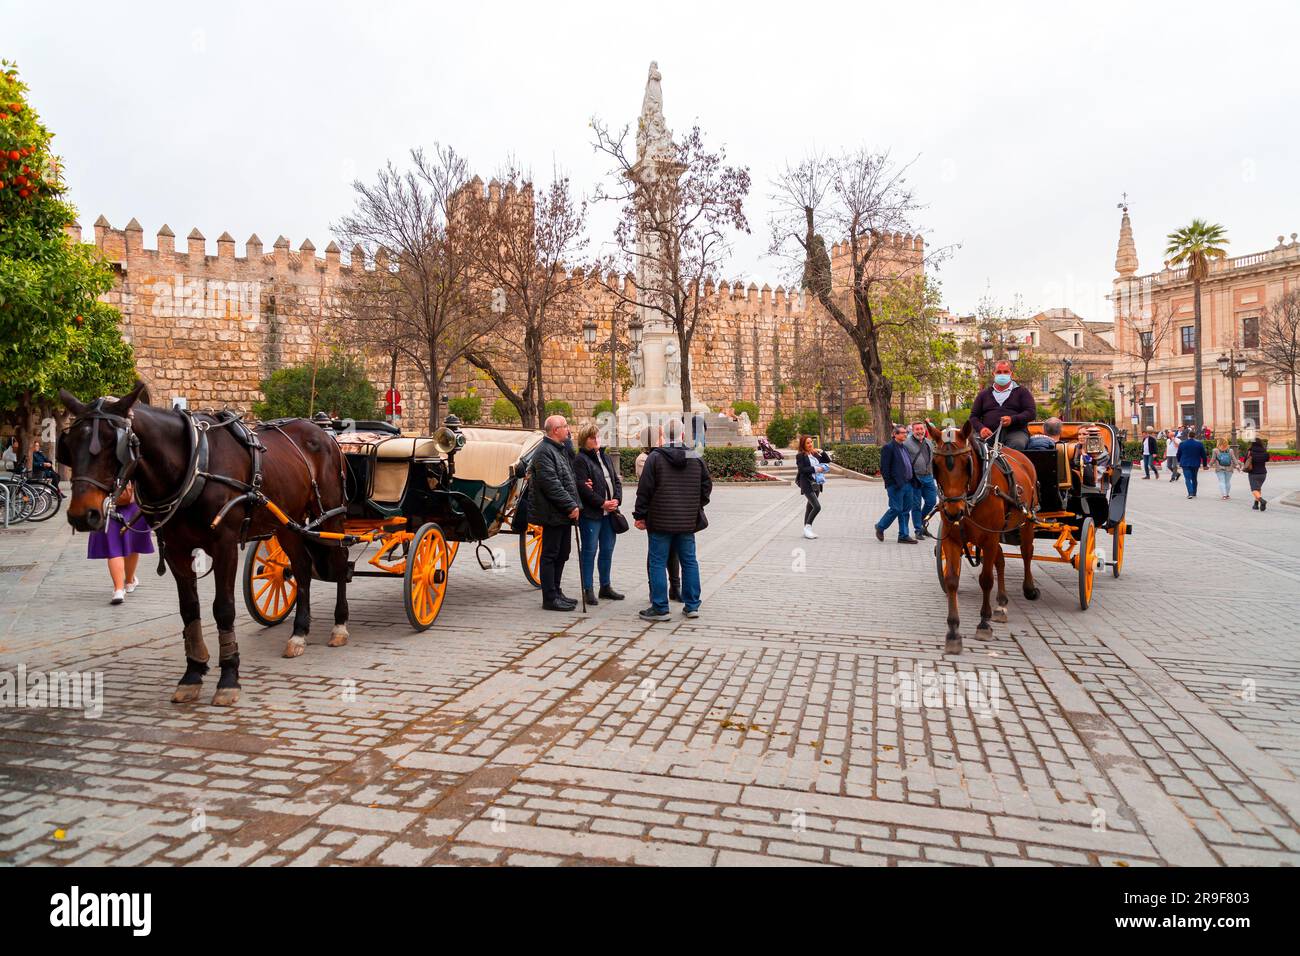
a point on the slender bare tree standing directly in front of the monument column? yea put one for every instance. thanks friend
(678, 226)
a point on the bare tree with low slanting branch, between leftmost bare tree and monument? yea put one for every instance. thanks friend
(522, 245)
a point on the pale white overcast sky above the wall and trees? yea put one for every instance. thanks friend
(1025, 124)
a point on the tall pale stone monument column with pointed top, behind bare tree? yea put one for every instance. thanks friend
(658, 396)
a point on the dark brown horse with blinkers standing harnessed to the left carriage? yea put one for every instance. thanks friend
(188, 471)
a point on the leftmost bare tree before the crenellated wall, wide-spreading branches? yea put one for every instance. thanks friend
(419, 302)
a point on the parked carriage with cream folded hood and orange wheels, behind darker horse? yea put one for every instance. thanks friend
(413, 503)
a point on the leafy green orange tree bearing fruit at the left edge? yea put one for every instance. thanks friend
(54, 330)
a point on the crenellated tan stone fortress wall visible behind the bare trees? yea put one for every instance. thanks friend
(210, 328)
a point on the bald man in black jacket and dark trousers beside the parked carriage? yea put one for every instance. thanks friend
(553, 504)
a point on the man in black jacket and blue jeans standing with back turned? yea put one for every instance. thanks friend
(671, 499)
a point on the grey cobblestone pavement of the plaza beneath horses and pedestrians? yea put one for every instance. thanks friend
(1163, 726)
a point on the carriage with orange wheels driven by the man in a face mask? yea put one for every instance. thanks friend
(1082, 492)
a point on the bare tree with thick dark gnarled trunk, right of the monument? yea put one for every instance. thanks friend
(861, 200)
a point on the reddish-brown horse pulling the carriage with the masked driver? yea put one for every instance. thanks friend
(978, 505)
